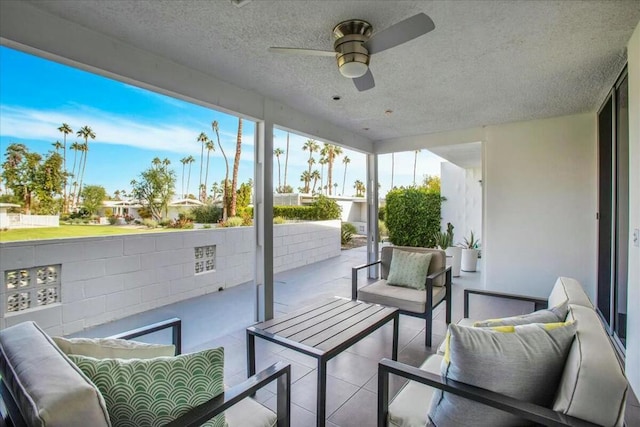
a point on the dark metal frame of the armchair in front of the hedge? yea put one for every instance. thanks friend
(427, 315)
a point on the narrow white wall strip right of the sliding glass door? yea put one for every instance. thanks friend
(633, 301)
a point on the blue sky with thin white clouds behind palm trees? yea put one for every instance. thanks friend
(134, 125)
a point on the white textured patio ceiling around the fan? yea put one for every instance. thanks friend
(487, 62)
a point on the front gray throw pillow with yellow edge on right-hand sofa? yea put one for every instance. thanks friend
(524, 362)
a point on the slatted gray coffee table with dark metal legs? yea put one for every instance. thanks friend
(323, 331)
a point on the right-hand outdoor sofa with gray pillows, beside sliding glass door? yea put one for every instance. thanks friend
(589, 387)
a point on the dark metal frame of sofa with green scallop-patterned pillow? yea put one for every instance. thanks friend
(11, 416)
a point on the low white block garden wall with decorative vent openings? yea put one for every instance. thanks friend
(67, 285)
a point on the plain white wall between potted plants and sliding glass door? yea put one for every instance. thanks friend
(540, 203)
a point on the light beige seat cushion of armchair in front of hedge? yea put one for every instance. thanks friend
(407, 299)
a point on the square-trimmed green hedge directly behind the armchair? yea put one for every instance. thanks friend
(413, 217)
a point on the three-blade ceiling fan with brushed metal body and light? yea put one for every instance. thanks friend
(355, 44)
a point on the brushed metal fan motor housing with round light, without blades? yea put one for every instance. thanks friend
(352, 55)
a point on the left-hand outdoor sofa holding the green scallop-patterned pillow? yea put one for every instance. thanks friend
(41, 386)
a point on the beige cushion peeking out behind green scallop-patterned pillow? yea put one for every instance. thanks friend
(103, 348)
